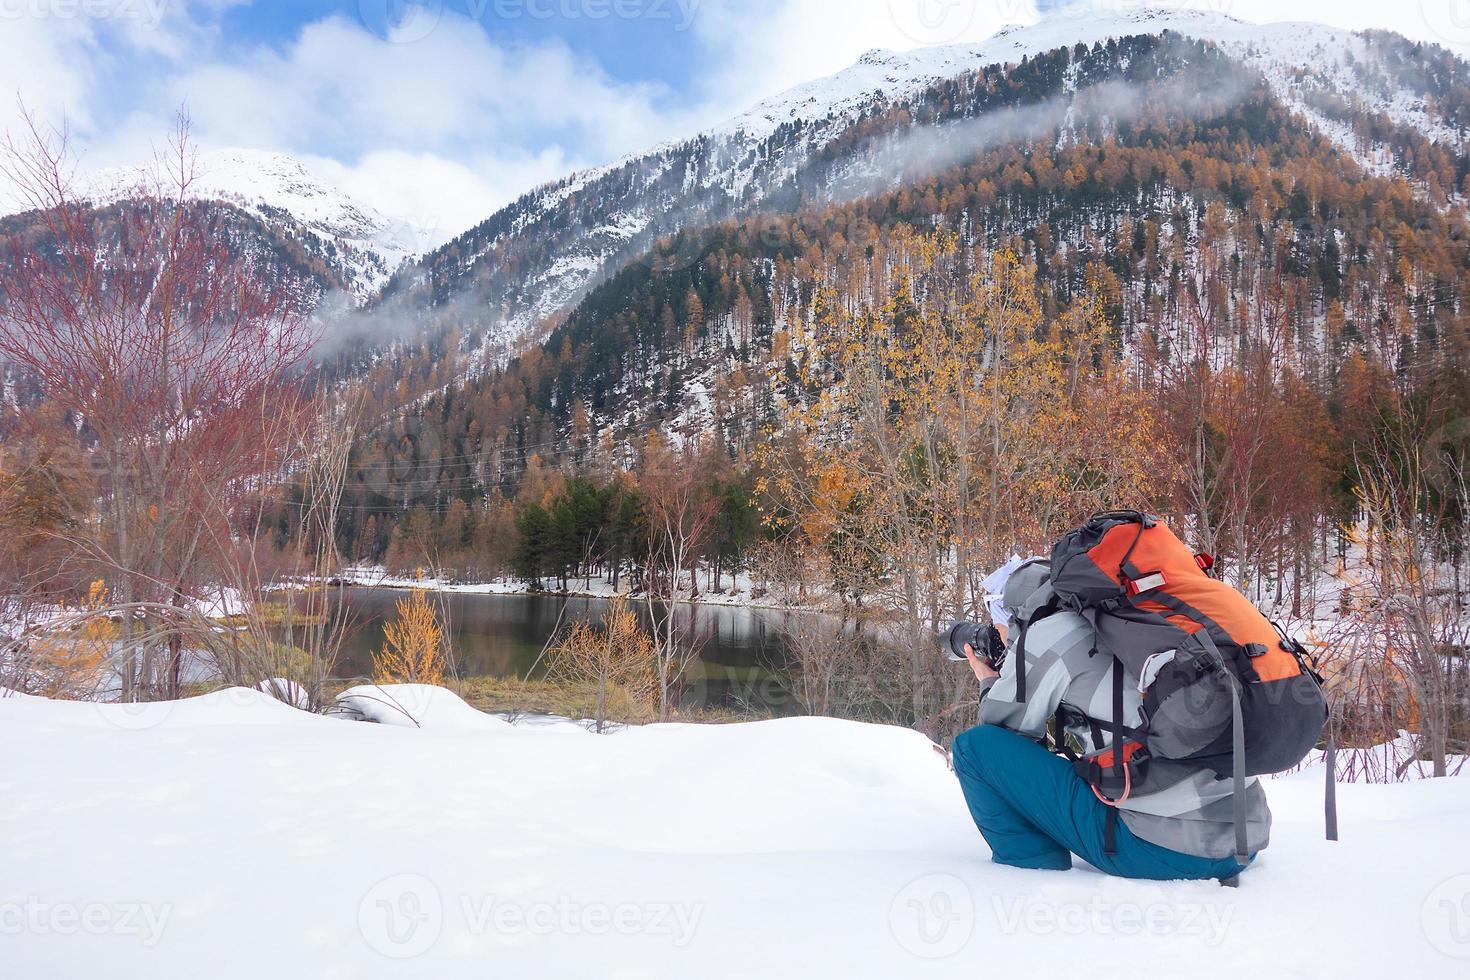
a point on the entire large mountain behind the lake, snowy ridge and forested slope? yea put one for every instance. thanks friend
(1291, 198)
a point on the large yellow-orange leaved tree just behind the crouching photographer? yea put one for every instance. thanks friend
(952, 422)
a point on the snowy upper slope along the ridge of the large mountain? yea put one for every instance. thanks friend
(567, 237)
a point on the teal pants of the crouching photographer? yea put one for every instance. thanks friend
(1036, 813)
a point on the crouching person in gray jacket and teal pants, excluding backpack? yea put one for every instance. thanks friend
(1034, 807)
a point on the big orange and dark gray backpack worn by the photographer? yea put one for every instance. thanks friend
(1222, 685)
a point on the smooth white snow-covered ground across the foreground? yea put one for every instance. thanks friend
(233, 837)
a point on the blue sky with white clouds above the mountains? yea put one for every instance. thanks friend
(440, 111)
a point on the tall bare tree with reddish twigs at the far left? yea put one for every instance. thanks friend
(165, 346)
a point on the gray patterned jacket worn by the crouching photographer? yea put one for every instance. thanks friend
(1180, 807)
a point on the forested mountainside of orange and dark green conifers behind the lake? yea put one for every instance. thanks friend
(1169, 183)
